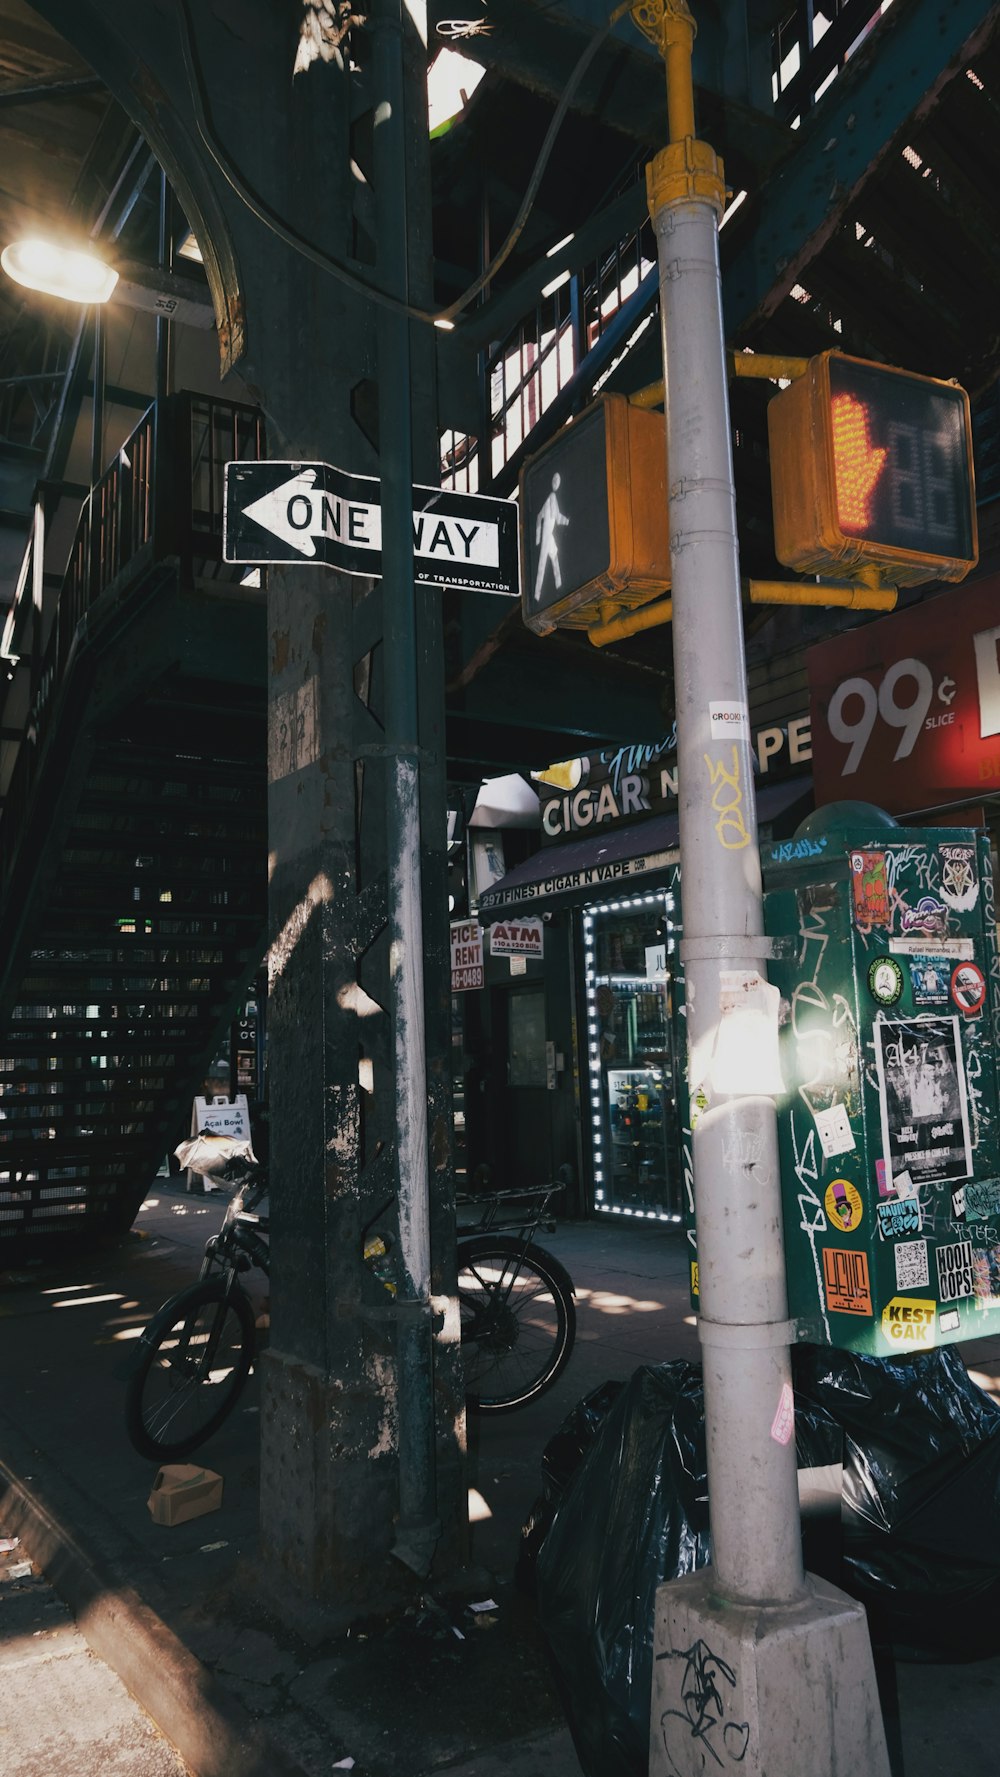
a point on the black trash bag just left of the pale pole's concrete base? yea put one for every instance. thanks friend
(635, 1515)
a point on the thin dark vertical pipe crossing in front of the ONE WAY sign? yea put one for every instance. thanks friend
(418, 1527)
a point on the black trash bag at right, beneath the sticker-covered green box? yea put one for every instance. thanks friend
(921, 1497)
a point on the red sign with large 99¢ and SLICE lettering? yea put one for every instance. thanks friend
(907, 712)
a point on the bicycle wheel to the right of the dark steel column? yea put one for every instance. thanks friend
(518, 1323)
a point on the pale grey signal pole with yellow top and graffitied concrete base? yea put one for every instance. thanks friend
(754, 1607)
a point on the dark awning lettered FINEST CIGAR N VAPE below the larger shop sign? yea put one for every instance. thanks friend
(614, 859)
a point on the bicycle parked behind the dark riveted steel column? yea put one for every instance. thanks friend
(196, 1355)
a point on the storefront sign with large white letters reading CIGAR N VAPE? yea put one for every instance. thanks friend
(626, 783)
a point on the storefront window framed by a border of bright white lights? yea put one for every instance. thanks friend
(631, 962)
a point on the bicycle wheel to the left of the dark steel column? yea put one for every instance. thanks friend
(193, 1364)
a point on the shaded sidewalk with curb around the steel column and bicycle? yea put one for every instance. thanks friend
(226, 1680)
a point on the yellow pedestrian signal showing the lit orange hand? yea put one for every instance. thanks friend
(873, 466)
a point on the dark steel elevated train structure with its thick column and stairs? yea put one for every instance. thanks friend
(191, 772)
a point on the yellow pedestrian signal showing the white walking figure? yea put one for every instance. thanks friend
(594, 527)
